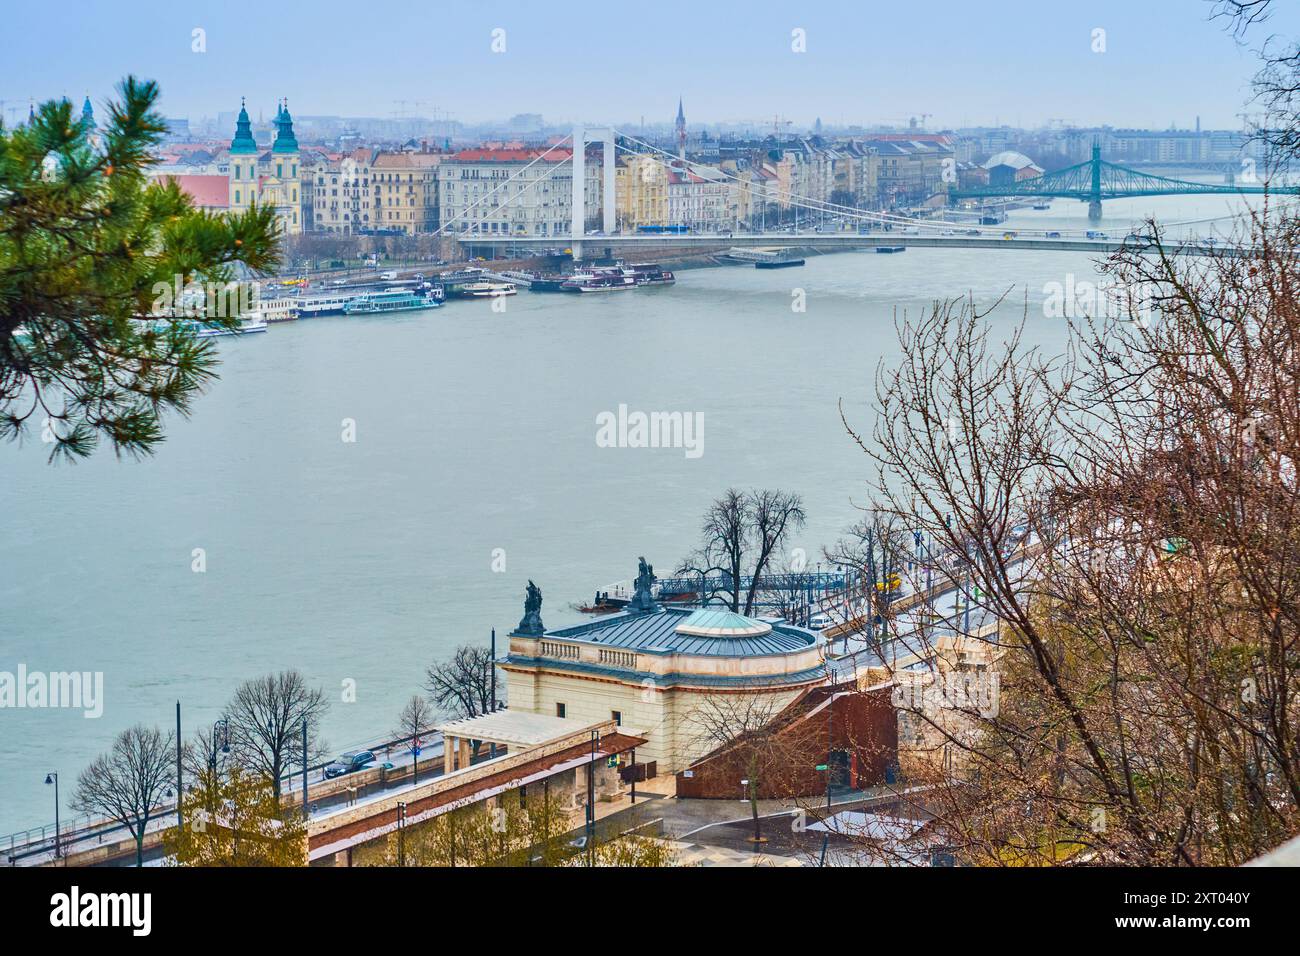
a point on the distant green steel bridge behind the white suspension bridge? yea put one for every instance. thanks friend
(1098, 180)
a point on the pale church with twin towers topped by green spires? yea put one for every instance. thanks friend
(268, 179)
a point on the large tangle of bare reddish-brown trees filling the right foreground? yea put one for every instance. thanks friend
(1129, 518)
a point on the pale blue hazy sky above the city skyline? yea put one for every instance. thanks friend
(964, 62)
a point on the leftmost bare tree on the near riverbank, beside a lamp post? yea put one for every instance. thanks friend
(131, 781)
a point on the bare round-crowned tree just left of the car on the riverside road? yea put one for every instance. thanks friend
(267, 717)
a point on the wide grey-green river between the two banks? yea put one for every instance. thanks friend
(475, 431)
